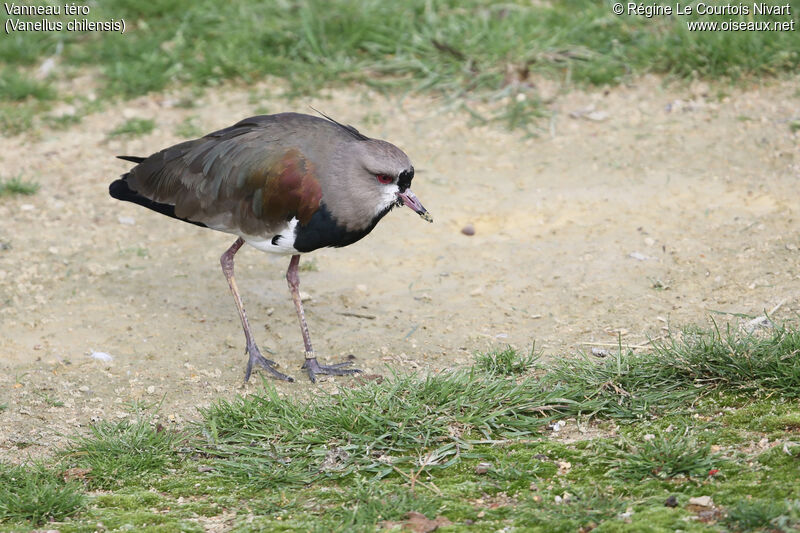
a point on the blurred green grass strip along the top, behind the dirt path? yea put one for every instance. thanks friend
(473, 49)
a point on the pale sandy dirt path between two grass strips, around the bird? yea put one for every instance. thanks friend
(664, 207)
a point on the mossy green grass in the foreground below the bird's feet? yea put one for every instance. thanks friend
(678, 422)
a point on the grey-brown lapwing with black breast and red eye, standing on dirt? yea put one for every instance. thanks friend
(286, 184)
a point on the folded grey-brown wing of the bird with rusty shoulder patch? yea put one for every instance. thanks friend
(236, 179)
